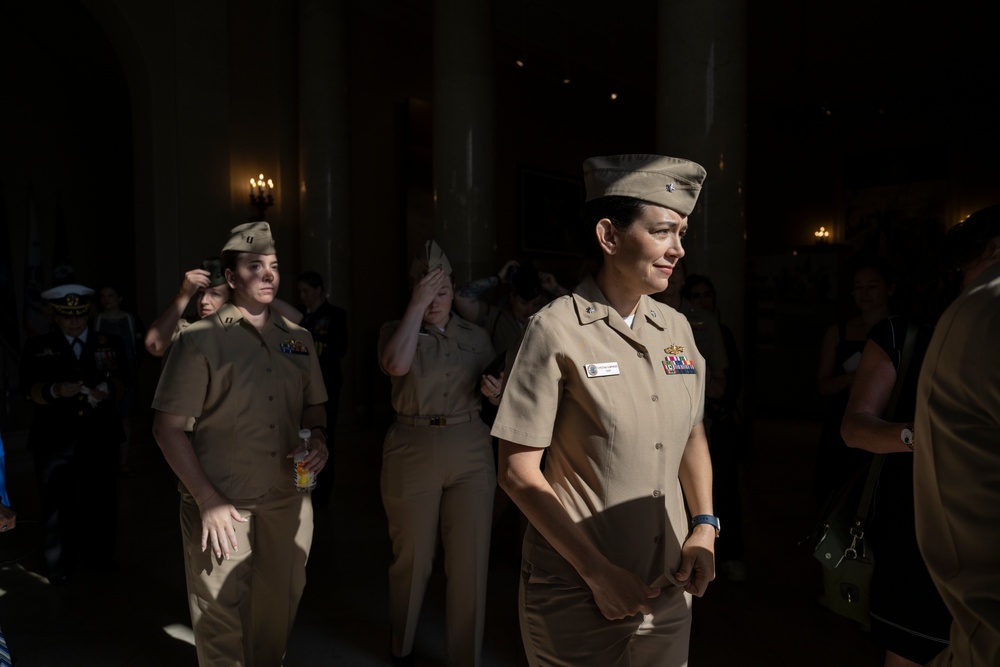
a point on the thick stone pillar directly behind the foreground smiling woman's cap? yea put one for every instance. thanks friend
(701, 115)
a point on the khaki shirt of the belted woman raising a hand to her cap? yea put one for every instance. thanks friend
(445, 374)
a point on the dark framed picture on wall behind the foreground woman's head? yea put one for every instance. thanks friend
(550, 208)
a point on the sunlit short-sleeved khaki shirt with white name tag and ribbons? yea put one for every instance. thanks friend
(614, 406)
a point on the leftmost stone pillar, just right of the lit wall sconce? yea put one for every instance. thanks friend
(325, 237)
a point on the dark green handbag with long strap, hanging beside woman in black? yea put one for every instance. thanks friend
(840, 543)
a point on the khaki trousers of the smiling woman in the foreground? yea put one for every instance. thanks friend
(561, 626)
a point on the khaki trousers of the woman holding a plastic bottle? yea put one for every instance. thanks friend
(243, 609)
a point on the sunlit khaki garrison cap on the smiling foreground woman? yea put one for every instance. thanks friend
(668, 181)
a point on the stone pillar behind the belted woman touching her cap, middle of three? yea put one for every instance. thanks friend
(464, 137)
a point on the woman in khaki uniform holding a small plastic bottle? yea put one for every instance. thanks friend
(252, 380)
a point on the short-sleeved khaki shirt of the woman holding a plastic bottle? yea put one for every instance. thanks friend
(247, 390)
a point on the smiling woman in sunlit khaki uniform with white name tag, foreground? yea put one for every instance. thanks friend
(609, 382)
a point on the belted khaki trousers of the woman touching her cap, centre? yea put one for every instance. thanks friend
(445, 476)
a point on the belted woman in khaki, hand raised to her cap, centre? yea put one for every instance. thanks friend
(437, 462)
